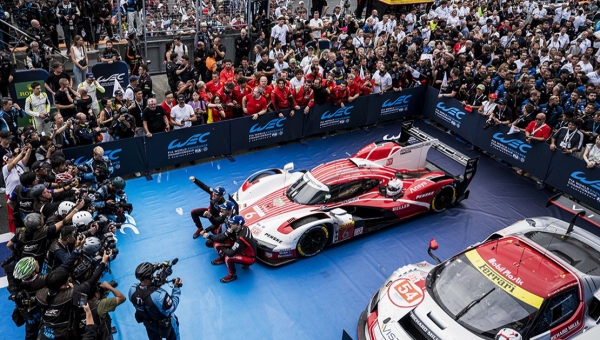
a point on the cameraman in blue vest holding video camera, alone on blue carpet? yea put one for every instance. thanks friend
(154, 307)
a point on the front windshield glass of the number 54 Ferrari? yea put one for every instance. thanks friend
(457, 284)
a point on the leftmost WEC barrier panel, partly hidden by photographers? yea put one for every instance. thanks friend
(127, 155)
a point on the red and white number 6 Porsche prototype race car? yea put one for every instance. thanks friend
(297, 214)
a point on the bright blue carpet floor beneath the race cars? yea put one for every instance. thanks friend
(316, 298)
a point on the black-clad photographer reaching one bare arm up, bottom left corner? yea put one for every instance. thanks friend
(60, 294)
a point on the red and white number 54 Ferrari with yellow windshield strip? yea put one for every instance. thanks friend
(536, 279)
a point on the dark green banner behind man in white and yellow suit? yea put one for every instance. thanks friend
(20, 89)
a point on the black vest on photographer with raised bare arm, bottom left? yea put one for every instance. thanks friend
(56, 313)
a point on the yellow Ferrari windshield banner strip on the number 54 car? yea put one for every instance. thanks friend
(503, 282)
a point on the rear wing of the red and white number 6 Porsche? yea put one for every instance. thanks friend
(470, 164)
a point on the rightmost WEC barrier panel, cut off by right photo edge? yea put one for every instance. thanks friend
(570, 175)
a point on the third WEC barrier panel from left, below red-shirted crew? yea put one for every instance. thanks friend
(267, 129)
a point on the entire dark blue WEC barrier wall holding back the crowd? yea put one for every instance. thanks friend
(566, 173)
